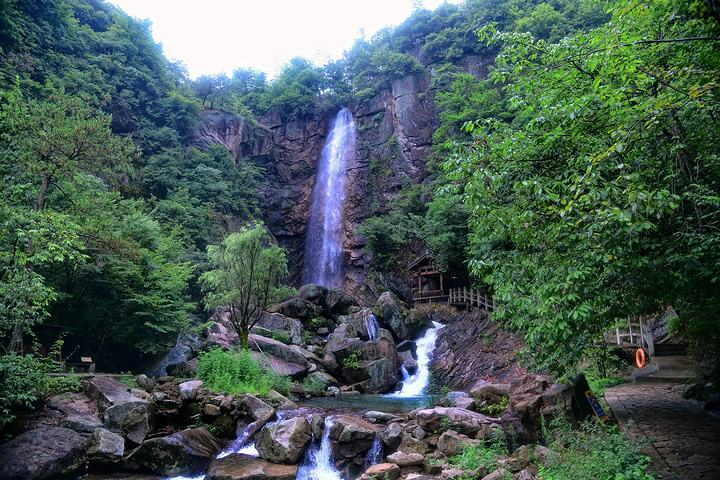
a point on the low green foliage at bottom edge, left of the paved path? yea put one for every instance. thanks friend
(594, 451)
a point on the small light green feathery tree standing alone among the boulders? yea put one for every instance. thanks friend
(247, 276)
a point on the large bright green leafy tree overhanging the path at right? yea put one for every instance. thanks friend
(599, 200)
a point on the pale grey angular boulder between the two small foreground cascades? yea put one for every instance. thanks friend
(284, 441)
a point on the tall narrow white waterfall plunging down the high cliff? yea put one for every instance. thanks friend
(324, 239)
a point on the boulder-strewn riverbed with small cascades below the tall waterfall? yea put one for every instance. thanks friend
(171, 425)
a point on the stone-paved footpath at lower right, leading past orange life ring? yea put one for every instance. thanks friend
(684, 440)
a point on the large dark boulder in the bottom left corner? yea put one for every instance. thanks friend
(48, 452)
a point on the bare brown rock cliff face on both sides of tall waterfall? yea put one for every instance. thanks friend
(394, 136)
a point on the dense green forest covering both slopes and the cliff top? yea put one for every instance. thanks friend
(578, 181)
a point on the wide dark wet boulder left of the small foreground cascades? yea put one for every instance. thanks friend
(189, 450)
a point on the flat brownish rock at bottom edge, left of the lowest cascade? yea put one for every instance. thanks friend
(245, 467)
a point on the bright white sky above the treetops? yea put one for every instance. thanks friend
(213, 36)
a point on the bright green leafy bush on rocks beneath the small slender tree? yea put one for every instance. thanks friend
(237, 372)
